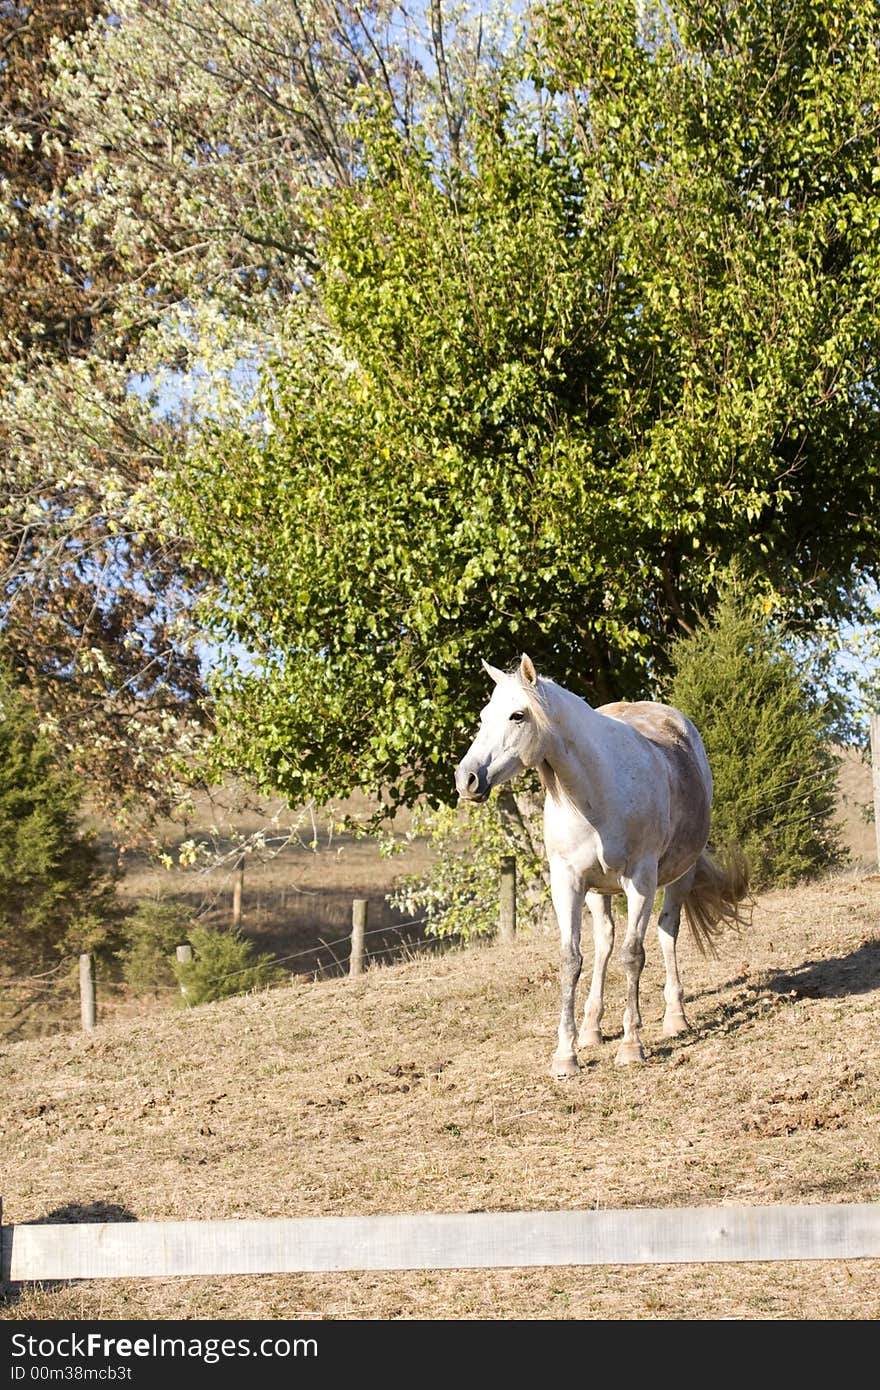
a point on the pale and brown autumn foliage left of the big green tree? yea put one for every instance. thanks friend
(159, 162)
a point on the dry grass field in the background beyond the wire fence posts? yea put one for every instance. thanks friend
(297, 901)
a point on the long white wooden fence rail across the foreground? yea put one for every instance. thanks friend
(482, 1241)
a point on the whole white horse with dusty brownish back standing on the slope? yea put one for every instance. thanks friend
(628, 799)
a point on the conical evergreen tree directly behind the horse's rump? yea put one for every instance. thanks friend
(768, 740)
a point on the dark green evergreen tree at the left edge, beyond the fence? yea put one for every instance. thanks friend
(54, 897)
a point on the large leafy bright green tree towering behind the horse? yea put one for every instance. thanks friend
(550, 380)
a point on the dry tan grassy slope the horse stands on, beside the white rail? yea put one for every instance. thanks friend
(425, 1088)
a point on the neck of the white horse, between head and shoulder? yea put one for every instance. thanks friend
(576, 768)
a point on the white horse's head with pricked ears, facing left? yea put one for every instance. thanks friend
(511, 735)
